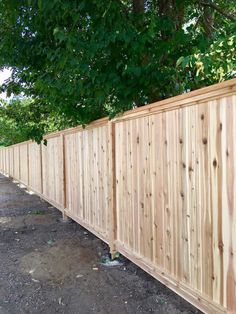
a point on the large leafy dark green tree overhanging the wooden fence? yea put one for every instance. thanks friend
(83, 60)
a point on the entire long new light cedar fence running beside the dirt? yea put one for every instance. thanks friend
(158, 184)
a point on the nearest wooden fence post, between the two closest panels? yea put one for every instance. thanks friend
(112, 189)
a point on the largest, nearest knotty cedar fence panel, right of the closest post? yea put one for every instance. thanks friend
(175, 197)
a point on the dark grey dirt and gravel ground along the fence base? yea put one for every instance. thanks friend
(48, 266)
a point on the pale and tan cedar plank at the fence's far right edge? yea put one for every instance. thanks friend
(228, 204)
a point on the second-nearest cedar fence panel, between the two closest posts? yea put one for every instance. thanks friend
(87, 178)
